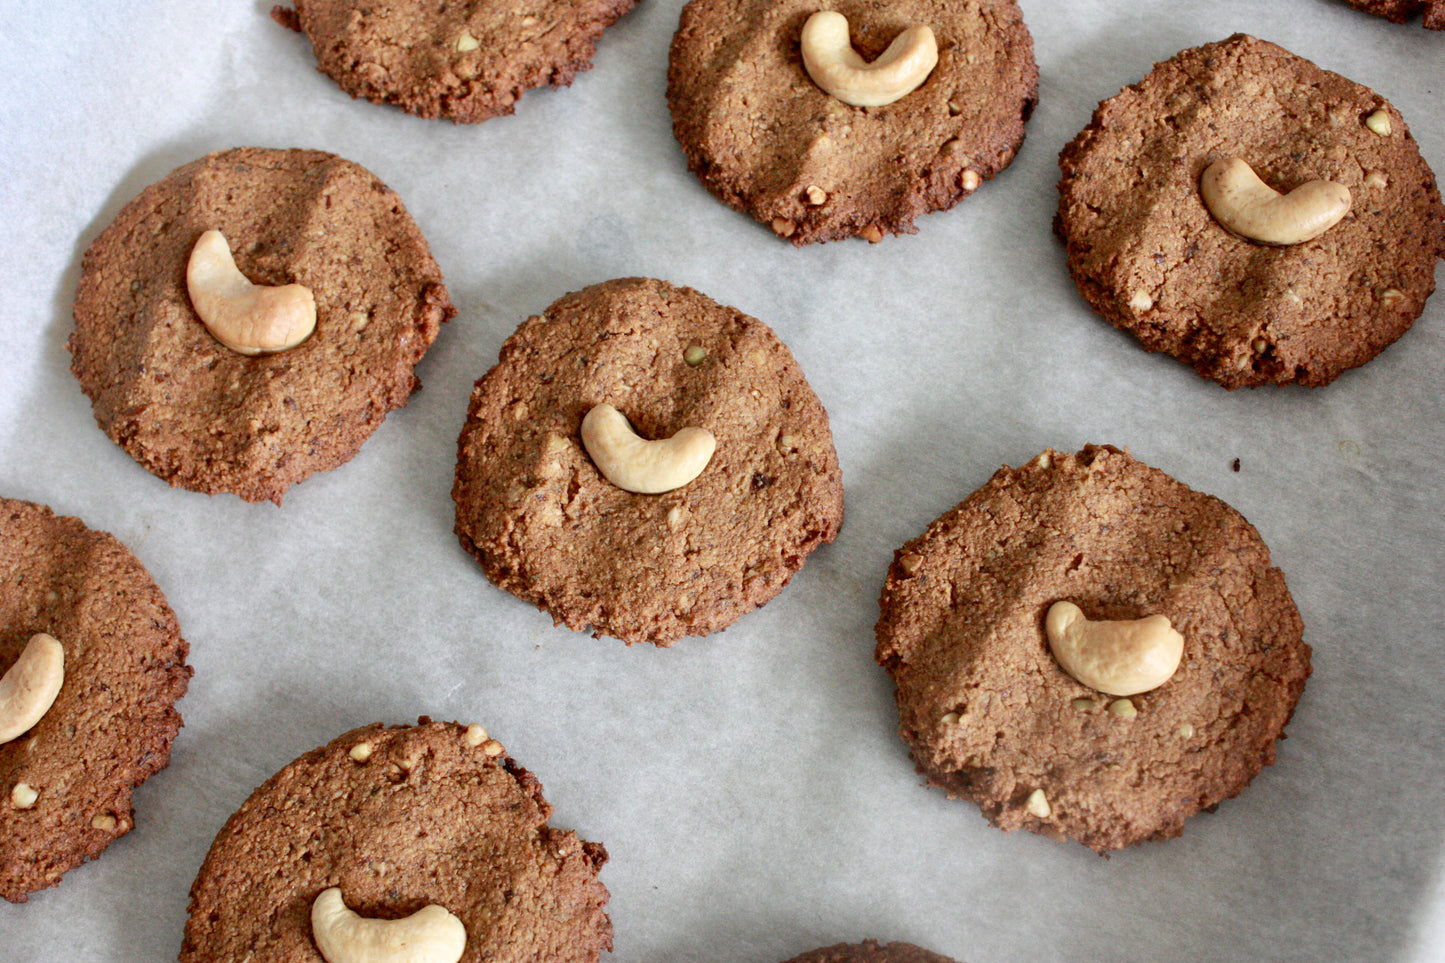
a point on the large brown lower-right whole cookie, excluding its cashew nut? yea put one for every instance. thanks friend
(992, 716)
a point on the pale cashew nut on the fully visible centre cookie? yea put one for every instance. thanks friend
(637, 465)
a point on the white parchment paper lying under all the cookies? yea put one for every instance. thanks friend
(751, 786)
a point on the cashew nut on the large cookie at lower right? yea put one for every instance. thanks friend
(1119, 659)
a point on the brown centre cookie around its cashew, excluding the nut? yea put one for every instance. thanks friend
(550, 528)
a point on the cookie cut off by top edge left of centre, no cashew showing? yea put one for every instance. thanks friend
(463, 61)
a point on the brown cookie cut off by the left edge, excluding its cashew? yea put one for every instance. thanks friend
(113, 722)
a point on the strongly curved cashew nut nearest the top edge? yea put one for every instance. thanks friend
(840, 70)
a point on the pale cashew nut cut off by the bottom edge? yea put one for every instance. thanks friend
(428, 936)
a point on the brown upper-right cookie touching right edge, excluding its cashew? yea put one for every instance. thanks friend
(1151, 258)
